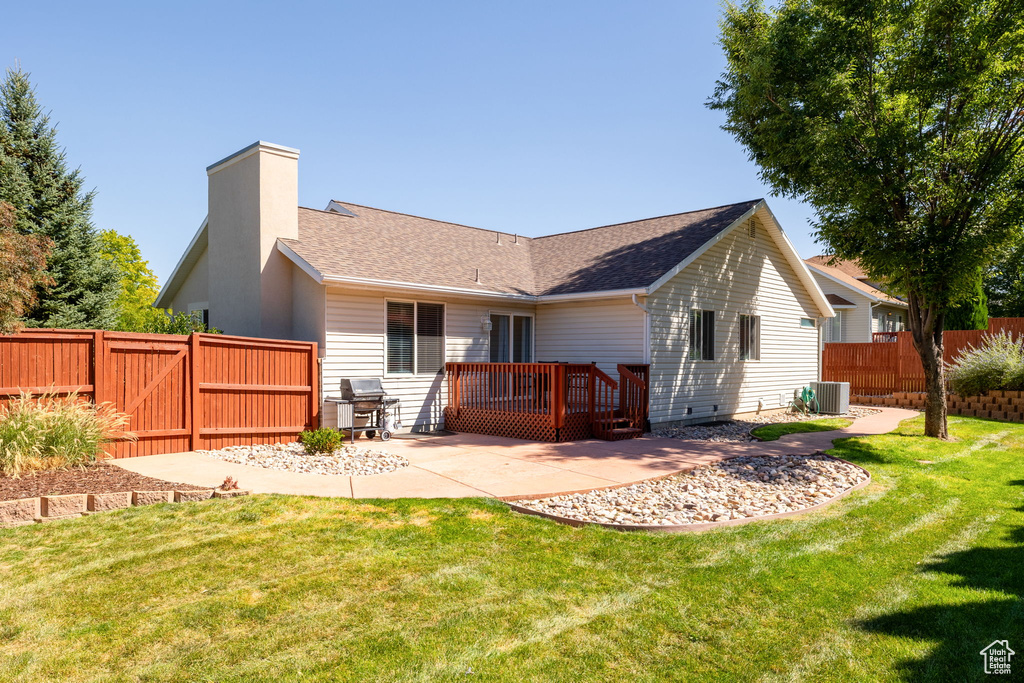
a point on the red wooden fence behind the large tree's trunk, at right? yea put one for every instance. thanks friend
(884, 368)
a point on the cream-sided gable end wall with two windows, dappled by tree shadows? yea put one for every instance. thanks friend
(738, 276)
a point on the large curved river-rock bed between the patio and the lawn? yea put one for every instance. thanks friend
(749, 487)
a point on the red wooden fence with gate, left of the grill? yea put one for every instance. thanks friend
(182, 393)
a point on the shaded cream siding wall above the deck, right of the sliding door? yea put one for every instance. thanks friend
(606, 332)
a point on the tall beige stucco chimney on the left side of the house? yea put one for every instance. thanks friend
(254, 199)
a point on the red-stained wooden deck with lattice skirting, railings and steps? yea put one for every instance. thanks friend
(546, 402)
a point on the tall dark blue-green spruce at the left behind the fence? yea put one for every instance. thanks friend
(52, 204)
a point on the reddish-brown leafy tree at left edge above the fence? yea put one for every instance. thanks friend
(23, 270)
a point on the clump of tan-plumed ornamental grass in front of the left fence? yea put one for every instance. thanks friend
(55, 433)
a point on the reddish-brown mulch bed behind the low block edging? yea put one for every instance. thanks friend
(98, 479)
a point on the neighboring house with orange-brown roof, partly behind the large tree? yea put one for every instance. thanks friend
(863, 309)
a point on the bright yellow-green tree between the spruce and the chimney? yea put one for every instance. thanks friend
(138, 287)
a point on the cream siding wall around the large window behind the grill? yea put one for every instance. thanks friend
(356, 348)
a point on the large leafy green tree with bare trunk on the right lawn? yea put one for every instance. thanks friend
(903, 125)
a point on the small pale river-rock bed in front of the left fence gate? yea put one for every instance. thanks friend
(349, 460)
